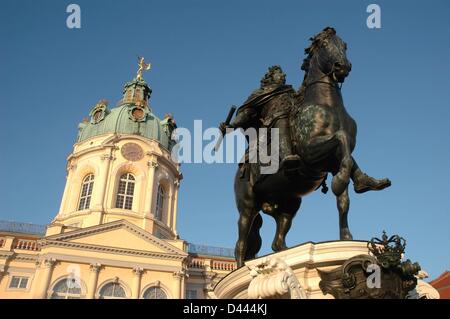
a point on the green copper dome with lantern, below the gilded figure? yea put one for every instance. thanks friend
(132, 116)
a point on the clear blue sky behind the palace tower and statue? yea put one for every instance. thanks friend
(207, 55)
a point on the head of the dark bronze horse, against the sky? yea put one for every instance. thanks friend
(329, 52)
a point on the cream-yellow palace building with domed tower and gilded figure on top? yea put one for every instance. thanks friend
(115, 235)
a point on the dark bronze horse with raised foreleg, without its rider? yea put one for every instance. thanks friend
(324, 136)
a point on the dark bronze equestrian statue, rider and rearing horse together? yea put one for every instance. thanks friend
(316, 137)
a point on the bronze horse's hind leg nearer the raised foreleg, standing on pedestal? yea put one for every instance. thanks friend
(283, 217)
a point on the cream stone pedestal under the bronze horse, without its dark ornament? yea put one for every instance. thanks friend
(293, 273)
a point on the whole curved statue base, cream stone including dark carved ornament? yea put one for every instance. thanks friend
(327, 270)
